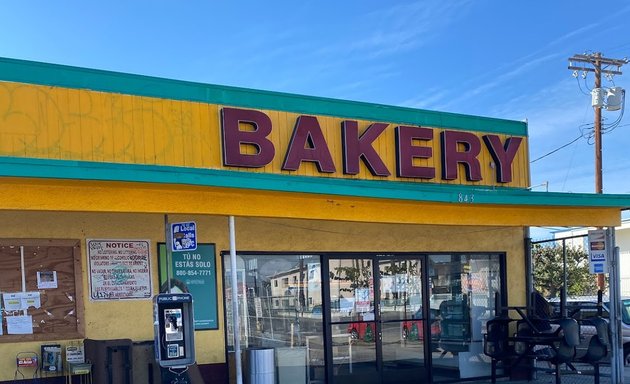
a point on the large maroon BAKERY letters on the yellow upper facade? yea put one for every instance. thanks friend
(426, 153)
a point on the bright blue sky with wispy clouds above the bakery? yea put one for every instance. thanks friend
(497, 58)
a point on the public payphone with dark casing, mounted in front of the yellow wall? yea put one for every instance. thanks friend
(174, 329)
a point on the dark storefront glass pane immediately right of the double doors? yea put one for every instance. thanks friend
(462, 289)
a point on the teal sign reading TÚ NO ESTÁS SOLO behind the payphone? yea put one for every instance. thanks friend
(195, 272)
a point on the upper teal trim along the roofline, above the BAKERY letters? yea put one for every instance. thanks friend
(106, 81)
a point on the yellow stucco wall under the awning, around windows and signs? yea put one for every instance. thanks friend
(133, 319)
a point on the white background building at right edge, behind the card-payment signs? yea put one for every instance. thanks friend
(622, 240)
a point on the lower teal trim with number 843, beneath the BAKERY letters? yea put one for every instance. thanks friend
(444, 193)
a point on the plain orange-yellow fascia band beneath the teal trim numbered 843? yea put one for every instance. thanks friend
(89, 196)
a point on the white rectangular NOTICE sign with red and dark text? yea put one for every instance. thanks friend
(119, 269)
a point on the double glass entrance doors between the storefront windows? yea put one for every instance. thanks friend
(377, 321)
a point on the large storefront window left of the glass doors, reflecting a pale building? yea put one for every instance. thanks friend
(280, 304)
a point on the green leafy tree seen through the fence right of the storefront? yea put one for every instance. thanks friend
(548, 271)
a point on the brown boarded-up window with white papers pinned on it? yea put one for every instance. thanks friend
(49, 272)
